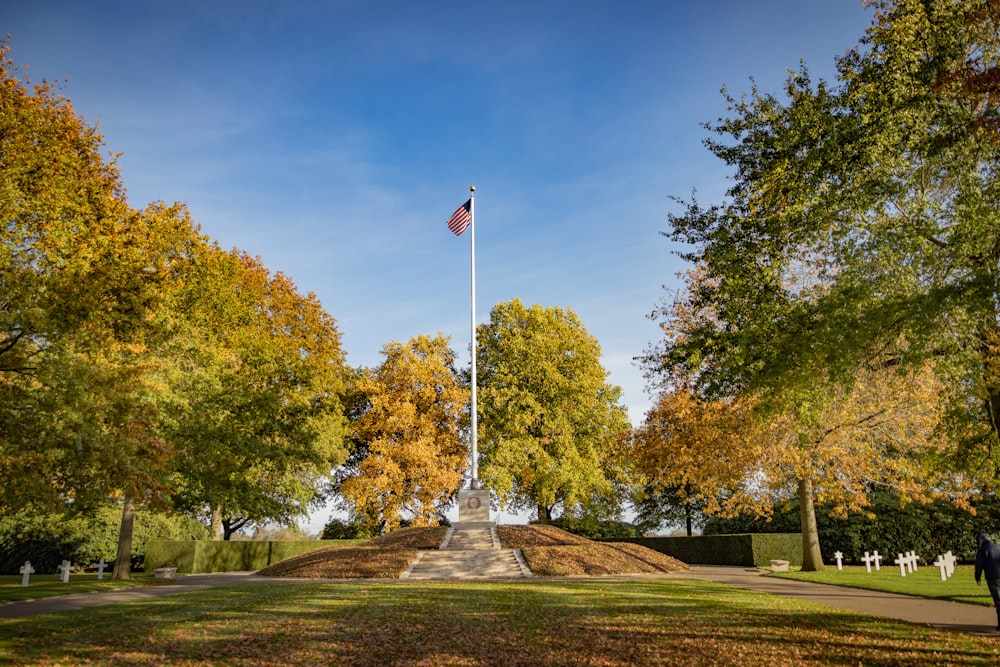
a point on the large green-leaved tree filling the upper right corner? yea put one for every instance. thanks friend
(881, 189)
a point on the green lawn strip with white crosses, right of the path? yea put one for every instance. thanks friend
(925, 582)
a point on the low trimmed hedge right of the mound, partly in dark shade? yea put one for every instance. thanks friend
(750, 550)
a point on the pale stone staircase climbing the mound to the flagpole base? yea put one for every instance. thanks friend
(469, 551)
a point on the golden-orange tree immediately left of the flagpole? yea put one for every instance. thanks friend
(409, 431)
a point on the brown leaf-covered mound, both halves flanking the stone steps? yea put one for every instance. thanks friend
(549, 552)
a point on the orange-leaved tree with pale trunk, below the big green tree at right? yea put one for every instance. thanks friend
(829, 442)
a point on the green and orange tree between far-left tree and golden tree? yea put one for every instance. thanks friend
(259, 375)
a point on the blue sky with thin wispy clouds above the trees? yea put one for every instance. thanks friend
(334, 138)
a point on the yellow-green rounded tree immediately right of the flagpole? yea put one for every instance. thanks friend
(549, 420)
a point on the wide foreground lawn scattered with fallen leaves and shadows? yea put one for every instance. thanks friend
(540, 622)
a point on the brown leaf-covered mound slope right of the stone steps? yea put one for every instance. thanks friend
(552, 552)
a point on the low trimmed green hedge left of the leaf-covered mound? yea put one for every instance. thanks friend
(196, 557)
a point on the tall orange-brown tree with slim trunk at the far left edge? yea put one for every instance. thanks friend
(83, 278)
